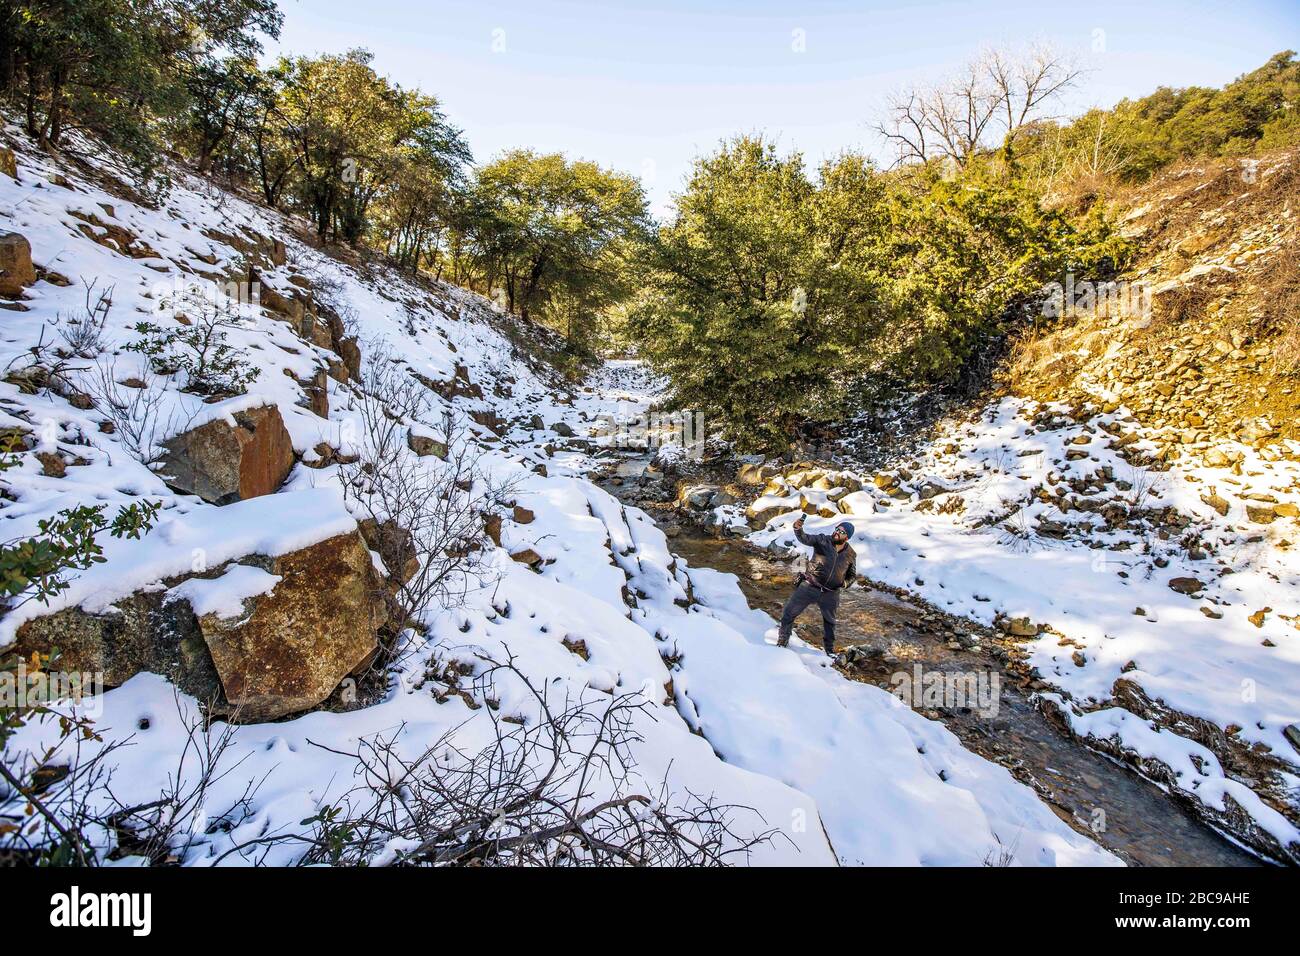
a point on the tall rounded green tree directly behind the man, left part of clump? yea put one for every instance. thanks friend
(762, 292)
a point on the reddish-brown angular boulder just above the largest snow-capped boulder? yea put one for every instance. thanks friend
(224, 462)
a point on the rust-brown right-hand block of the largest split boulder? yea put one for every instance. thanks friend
(291, 648)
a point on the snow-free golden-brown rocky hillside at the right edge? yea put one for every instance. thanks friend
(1202, 341)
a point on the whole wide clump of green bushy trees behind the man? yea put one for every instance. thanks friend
(772, 296)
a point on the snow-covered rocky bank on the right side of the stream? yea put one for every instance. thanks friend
(1024, 513)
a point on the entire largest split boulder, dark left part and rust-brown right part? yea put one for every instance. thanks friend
(257, 654)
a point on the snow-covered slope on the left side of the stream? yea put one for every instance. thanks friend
(842, 772)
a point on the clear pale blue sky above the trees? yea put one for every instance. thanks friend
(645, 86)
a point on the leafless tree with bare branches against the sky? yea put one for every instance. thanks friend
(987, 103)
